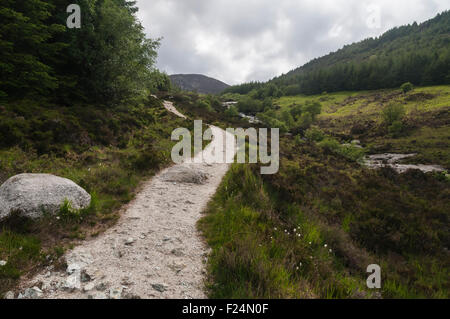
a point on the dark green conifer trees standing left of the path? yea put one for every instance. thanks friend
(108, 60)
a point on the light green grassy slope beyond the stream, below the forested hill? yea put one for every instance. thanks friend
(359, 115)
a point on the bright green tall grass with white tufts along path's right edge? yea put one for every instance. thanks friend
(258, 255)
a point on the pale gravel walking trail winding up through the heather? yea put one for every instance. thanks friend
(154, 250)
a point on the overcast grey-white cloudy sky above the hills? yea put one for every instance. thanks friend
(243, 40)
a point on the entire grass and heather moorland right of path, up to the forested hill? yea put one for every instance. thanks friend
(310, 230)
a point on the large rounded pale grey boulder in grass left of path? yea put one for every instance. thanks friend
(32, 194)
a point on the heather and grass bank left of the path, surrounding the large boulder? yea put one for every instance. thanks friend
(122, 147)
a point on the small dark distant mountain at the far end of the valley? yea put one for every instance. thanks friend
(198, 83)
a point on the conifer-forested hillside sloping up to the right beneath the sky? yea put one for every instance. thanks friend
(416, 53)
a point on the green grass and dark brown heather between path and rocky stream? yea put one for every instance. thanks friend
(312, 229)
